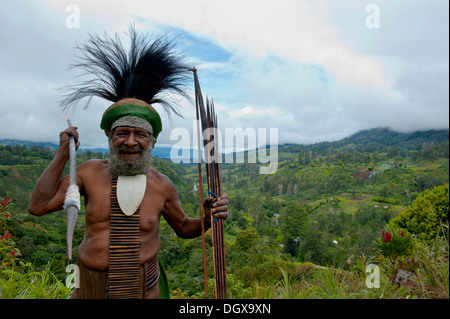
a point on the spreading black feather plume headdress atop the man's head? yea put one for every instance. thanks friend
(148, 71)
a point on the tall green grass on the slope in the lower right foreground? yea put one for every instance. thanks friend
(429, 279)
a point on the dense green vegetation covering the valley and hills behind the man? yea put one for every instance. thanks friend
(307, 231)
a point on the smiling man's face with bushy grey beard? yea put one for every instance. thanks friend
(130, 149)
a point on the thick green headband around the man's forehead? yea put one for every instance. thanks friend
(142, 112)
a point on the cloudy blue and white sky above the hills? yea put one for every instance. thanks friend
(317, 70)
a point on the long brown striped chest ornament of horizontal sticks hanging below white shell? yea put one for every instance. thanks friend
(124, 249)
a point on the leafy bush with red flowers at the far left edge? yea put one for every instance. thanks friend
(8, 251)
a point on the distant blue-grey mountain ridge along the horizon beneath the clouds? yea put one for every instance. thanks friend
(365, 141)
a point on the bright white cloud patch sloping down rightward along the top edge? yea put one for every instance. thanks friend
(293, 30)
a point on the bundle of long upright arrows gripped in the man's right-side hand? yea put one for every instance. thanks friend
(209, 123)
